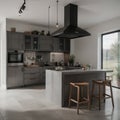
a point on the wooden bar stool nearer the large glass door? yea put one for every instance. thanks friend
(102, 83)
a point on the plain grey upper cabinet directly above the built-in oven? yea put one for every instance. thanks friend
(15, 40)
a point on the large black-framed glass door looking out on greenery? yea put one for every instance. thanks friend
(110, 58)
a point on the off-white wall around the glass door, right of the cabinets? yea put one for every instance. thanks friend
(87, 49)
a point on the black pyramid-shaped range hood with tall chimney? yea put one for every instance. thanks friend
(70, 29)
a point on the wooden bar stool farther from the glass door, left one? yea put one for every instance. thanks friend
(80, 89)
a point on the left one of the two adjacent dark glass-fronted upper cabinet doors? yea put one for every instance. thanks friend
(28, 42)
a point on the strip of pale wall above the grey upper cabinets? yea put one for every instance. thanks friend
(22, 26)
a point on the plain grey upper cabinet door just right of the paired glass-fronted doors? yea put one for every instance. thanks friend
(45, 43)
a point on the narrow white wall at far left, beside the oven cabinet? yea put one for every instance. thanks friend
(3, 55)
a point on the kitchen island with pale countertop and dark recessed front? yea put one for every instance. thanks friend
(57, 82)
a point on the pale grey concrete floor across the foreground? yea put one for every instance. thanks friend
(30, 104)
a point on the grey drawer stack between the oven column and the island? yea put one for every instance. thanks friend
(32, 76)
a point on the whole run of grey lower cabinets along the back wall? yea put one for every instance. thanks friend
(24, 76)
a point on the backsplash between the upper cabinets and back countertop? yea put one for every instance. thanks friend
(42, 57)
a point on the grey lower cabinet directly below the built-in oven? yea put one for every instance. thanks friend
(14, 76)
